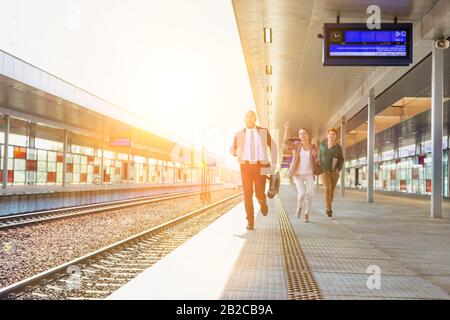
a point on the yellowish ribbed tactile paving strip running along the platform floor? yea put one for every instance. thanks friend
(300, 280)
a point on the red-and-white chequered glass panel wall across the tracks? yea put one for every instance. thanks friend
(42, 164)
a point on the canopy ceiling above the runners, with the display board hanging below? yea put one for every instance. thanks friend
(299, 89)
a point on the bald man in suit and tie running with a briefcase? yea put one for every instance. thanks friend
(250, 147)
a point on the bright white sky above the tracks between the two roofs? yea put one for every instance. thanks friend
(177, 63)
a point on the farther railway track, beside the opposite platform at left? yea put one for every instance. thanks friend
(40, 216)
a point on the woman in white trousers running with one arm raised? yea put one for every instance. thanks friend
(302, 169)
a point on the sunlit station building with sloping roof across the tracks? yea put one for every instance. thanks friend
(48, 124)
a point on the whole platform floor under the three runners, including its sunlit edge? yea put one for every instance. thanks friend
(327, 258)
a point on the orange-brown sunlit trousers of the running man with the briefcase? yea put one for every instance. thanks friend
(251, 176)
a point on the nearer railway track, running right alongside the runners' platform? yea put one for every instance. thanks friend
(98, 274)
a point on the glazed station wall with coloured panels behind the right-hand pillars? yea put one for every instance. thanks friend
(402, 155)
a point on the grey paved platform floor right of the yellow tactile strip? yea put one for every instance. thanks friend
(394, 233)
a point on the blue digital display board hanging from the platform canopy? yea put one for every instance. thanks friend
(350, 44)
